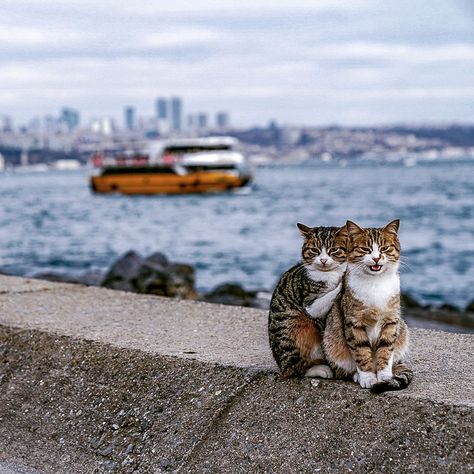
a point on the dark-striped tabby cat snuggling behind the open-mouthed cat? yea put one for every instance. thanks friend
(301, 300)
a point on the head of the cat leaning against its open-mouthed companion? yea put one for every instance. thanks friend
(324, 248)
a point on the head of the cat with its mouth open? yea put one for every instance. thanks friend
(373, 250)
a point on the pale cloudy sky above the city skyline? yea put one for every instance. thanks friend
(299, 62)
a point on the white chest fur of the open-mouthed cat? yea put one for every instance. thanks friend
(374, 290)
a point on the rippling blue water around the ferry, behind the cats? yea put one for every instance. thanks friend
(52, 222)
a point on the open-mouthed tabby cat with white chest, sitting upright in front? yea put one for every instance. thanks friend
(365, 337)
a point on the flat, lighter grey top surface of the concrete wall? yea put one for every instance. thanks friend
(229, 335)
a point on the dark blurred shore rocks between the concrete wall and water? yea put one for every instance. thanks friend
(156, 275)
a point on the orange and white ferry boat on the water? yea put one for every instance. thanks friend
(198, 165)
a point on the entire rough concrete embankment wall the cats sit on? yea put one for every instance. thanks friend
(94, 380)
